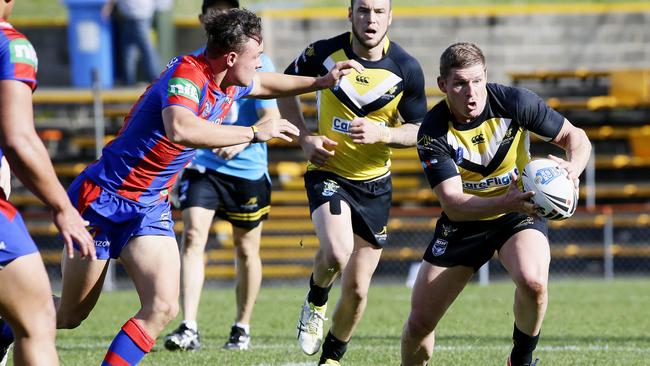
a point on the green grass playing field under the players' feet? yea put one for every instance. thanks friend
(588, 323)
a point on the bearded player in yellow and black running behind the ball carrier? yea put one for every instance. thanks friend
(348, 179)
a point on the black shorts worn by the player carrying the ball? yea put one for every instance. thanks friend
(472, 243)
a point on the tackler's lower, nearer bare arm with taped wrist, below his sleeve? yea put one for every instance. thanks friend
(183, 127)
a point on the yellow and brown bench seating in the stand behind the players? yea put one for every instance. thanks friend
(64, 121)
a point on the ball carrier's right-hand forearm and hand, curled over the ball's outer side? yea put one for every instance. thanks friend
(576, 144)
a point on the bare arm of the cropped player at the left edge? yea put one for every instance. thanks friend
(31, 163)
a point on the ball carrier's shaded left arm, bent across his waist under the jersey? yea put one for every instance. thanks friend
(460, 206)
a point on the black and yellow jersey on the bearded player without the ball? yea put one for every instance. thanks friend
(389, 92)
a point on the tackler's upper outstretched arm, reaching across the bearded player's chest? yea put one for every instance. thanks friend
(275, 85)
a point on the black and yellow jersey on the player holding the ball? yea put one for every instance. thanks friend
(487, 150)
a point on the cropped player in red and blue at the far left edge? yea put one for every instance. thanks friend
(26, 303)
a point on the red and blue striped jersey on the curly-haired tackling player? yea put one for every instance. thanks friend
(141, 164)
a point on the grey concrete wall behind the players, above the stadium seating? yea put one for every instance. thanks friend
(519, 42)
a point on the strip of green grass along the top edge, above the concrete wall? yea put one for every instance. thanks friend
(190, 8)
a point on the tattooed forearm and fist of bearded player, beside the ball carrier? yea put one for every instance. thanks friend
(364, 131)
